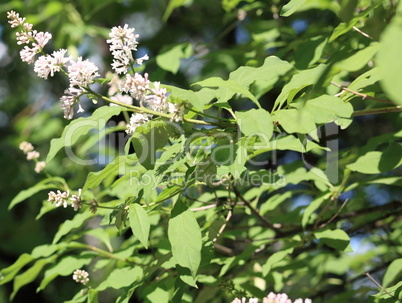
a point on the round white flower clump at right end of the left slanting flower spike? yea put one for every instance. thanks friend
(82, 73)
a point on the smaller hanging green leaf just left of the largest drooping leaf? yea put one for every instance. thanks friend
(139, 223)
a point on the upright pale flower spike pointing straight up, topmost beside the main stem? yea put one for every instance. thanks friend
(123, 41)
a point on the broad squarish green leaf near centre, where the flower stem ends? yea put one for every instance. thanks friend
(256, 122)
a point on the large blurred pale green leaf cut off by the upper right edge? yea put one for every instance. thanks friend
(389, 60)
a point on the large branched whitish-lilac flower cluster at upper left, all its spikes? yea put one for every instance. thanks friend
(82, 73)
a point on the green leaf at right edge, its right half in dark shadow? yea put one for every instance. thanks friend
(376, 162)
